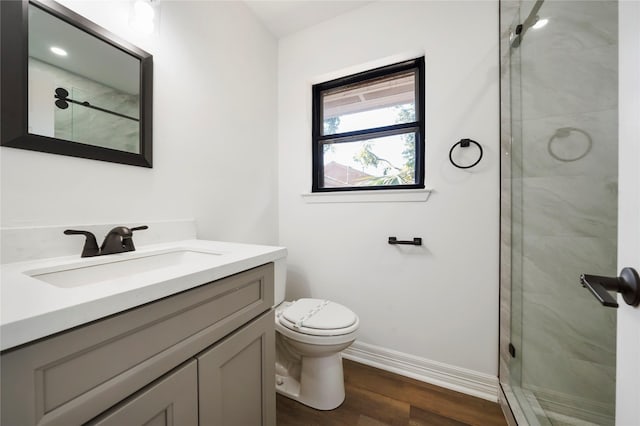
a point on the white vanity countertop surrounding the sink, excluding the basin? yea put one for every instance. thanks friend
(32, 308)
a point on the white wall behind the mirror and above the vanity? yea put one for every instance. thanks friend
(215, 76)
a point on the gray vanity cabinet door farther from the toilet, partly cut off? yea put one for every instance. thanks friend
(170, 401)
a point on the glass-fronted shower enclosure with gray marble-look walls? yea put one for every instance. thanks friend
(559, 209)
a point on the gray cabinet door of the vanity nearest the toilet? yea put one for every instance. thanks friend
(236, 377)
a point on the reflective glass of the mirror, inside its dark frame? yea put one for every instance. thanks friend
(81, 89)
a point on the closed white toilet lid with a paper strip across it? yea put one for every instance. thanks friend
(317, 316)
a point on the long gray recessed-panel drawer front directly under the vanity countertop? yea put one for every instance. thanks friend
(71, 377)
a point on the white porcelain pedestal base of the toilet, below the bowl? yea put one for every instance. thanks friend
(321, 384)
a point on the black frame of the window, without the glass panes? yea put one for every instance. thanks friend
(319, 140)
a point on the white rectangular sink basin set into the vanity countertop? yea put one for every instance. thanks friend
(80, 274)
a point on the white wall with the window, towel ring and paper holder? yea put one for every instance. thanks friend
(440, 301)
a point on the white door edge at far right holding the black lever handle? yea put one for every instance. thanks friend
(628, 347)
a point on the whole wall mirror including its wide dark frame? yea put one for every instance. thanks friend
(70, 87)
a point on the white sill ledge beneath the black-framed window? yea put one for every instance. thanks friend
(378, 196)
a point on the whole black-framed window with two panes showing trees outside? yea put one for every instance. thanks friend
(368, 130)
